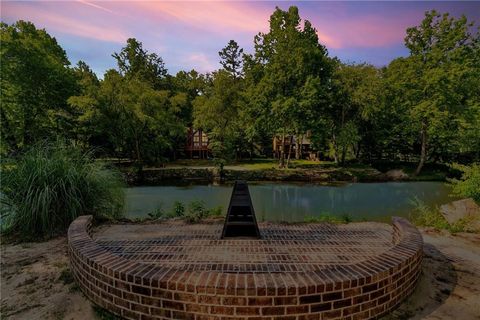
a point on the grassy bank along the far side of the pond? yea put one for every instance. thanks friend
(267, 170)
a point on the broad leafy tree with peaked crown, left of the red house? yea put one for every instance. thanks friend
(128, 114)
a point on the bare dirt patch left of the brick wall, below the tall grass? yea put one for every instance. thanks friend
(36, 283)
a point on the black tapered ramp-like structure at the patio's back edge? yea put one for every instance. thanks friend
(240, 220)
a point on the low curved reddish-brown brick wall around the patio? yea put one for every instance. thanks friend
(136, 290)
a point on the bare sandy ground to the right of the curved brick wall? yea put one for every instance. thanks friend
(449, 287)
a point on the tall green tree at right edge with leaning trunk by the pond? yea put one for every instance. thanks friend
(437, 78)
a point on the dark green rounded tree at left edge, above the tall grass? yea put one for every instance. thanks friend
(35, 84)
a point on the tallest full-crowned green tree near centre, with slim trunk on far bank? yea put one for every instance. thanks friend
(289, 71)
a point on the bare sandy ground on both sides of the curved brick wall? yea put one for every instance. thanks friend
(36, 282)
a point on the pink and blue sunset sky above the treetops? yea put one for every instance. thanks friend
(188, 35)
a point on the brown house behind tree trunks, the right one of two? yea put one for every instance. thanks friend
(300, 147)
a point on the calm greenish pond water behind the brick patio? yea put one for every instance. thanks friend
(293, 202)
